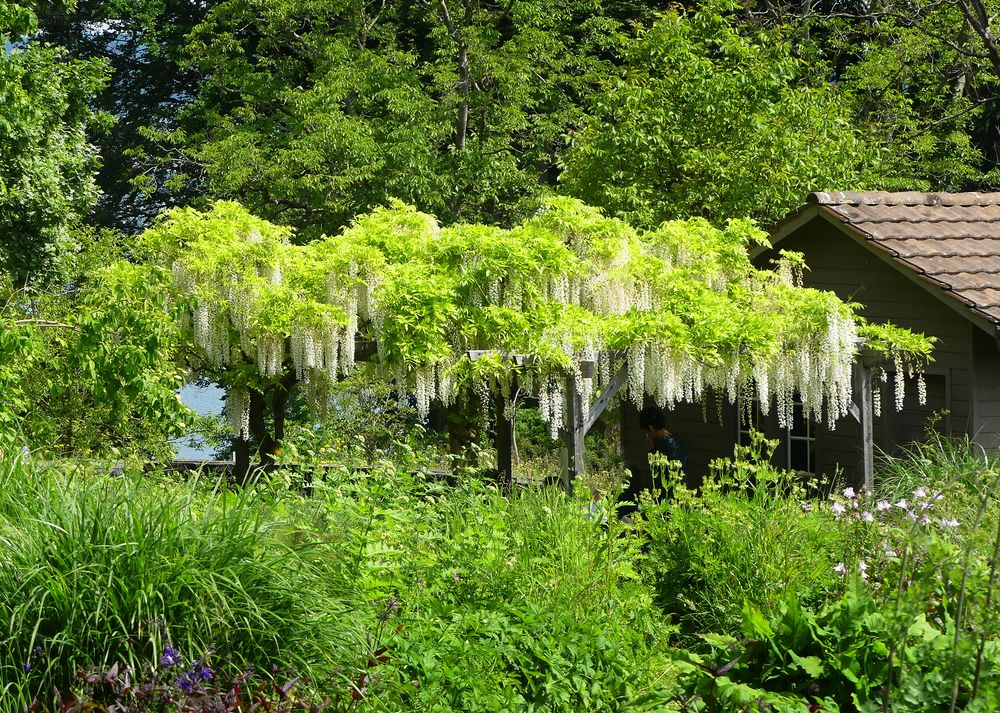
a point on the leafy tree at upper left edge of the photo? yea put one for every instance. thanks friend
(46, 164)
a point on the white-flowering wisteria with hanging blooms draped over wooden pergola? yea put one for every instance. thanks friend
(683, 302)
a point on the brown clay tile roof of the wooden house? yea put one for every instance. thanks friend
(950, 239)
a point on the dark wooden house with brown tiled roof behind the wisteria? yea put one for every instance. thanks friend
(926, 261)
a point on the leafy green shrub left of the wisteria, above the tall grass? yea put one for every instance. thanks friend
(91, 371)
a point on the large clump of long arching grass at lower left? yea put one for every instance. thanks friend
(100, 569)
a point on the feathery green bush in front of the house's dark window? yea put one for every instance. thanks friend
(752, 534)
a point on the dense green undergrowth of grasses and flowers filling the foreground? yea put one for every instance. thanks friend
(390, 591)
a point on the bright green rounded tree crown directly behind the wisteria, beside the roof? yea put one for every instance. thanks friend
(715, 121)
